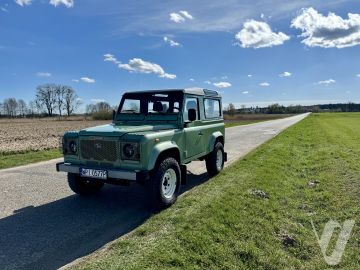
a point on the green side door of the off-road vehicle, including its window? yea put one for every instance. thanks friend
(194, 137)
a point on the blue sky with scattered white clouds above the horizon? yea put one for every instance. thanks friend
(254, 52)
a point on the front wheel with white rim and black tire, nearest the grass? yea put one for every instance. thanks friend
(159, 199)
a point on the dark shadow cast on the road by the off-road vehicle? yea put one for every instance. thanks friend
(54, 234)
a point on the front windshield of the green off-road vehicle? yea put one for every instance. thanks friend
(151, 104)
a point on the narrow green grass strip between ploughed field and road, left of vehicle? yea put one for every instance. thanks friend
(17, 159)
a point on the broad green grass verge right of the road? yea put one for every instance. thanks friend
(222, 225)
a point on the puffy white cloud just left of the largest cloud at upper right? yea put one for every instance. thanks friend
(257, 34)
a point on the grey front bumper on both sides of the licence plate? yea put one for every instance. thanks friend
(138, 176)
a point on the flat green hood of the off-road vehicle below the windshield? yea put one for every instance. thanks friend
(113, 130)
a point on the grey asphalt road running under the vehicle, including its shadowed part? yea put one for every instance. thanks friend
(43, 225)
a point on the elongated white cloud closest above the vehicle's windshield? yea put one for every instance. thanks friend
(138, 65)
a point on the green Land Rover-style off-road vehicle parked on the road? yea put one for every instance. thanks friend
(152, 137)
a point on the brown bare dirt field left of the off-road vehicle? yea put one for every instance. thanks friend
(18, 135)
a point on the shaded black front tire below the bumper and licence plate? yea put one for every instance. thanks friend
(84, 186)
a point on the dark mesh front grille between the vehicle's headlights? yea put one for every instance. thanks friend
(99, 150)
